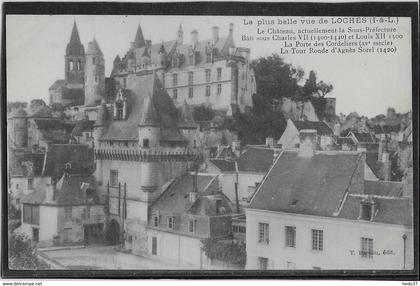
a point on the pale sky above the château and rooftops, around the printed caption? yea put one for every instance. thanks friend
(35, 48)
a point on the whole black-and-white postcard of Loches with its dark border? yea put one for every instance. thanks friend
(164, 142)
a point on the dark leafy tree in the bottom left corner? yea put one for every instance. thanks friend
(23, 254)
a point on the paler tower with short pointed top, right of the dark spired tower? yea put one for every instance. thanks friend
(94, 74)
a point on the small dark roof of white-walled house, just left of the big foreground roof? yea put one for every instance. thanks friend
(256, 160)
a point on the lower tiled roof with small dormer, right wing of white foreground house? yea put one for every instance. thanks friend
(390, 210)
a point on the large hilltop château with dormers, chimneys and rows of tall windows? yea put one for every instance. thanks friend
(211, 71)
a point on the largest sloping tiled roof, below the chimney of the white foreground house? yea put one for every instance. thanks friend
(308, 185)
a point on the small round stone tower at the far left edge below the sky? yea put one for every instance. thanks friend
(19, 129)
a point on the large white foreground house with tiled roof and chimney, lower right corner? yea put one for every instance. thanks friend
(311, 212)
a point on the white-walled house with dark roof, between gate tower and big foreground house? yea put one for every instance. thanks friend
(244, 174)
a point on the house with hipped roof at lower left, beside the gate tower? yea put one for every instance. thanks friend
(69, 213)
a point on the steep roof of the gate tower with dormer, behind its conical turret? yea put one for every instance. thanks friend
(163, 107)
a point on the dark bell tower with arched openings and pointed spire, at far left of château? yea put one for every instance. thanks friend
(75, 59)
